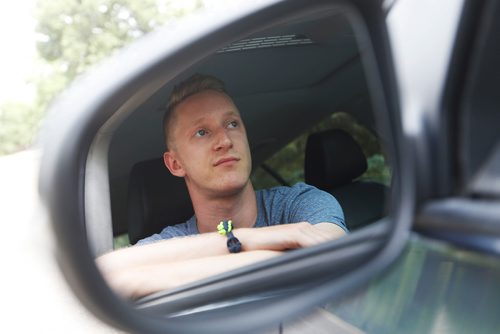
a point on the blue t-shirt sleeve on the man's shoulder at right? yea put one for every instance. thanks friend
(310, 204)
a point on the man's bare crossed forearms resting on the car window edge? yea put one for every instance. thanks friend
(139, 271)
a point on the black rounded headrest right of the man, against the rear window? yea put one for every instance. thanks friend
(332, 159)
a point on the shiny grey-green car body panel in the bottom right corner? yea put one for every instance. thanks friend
(434, 287)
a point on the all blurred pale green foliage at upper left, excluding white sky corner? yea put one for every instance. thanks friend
(74, 35)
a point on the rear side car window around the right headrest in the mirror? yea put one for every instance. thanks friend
(286, 167)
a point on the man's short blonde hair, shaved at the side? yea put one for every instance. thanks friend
(195, 84)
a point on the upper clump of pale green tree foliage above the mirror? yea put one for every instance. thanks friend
(75, 35)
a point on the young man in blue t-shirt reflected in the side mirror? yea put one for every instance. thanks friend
(207, 145)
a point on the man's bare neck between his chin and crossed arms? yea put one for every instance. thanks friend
(241, 208)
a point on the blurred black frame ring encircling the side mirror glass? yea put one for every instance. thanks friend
(65, 153)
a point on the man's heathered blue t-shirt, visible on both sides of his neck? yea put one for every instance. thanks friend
(278, 205)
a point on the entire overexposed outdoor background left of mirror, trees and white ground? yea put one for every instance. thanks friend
(45, 45)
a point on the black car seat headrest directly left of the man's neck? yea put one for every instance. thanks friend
(155, 199)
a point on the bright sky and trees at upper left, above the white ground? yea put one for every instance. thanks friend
(47, 43)
